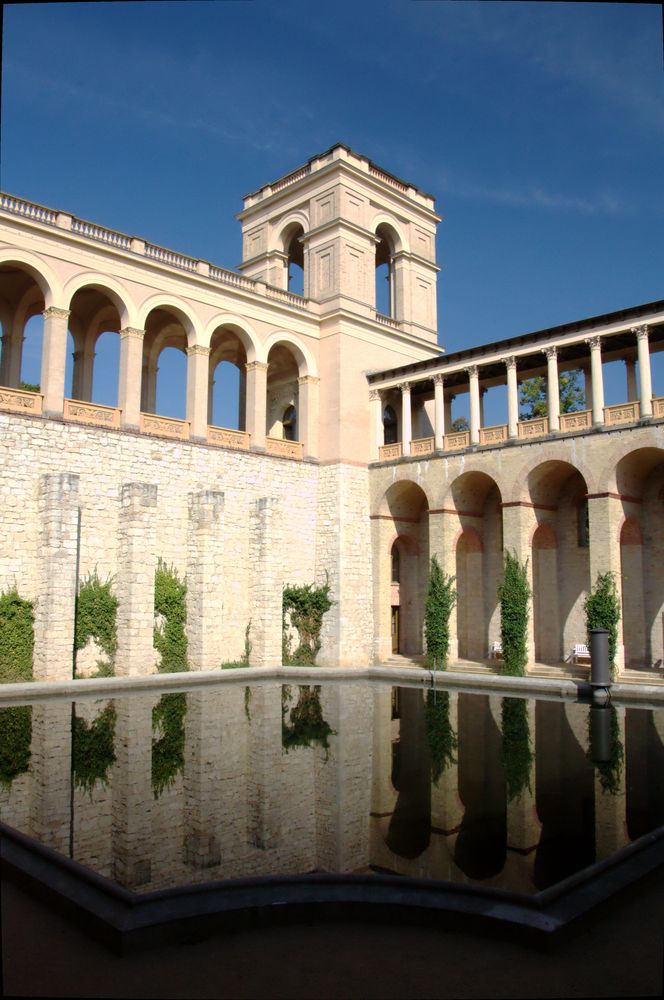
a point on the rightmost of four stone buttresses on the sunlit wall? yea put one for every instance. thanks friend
(266, 586)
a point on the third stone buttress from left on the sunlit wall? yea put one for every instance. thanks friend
(205, 580)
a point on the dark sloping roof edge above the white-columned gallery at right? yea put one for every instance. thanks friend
(578, 326)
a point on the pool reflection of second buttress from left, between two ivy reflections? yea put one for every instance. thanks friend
(132, 791)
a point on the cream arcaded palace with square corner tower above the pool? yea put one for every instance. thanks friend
(343, 463)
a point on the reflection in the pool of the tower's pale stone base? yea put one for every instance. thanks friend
(343, 779)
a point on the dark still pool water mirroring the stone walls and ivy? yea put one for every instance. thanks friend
(162, 790)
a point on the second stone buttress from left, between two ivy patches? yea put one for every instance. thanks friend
(137, 562)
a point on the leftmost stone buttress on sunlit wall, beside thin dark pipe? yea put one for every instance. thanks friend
(58, 569)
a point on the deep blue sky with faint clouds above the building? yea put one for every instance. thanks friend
(539, 127)
